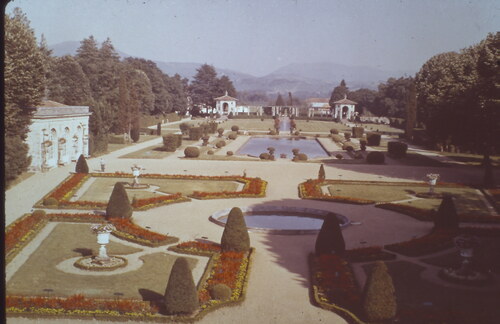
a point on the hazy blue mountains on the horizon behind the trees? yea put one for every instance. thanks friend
(302, 79)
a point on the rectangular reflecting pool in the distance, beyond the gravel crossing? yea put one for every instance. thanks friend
(283, 145)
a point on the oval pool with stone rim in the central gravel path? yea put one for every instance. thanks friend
(280, 219)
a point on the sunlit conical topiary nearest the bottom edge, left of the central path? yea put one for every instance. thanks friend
(181, 296)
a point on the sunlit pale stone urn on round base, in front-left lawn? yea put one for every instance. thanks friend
(101, 262)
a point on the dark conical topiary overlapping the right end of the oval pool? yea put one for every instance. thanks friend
(330, 238)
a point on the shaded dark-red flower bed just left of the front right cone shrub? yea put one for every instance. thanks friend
(334, 287)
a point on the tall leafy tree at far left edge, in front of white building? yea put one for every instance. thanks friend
(24, 84)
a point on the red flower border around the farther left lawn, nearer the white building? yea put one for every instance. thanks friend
(253, 187)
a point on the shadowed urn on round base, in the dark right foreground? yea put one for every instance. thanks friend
(465, 274)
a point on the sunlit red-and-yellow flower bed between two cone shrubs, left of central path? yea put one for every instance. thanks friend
(229, 268)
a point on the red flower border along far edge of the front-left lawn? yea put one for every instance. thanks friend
(21, 232)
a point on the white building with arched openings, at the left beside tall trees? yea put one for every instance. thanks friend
(58, 135)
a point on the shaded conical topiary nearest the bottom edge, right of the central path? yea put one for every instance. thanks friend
(379, 298)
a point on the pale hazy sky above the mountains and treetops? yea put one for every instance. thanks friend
(259, 36)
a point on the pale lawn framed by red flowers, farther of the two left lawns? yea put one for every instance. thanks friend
(101, 188)
